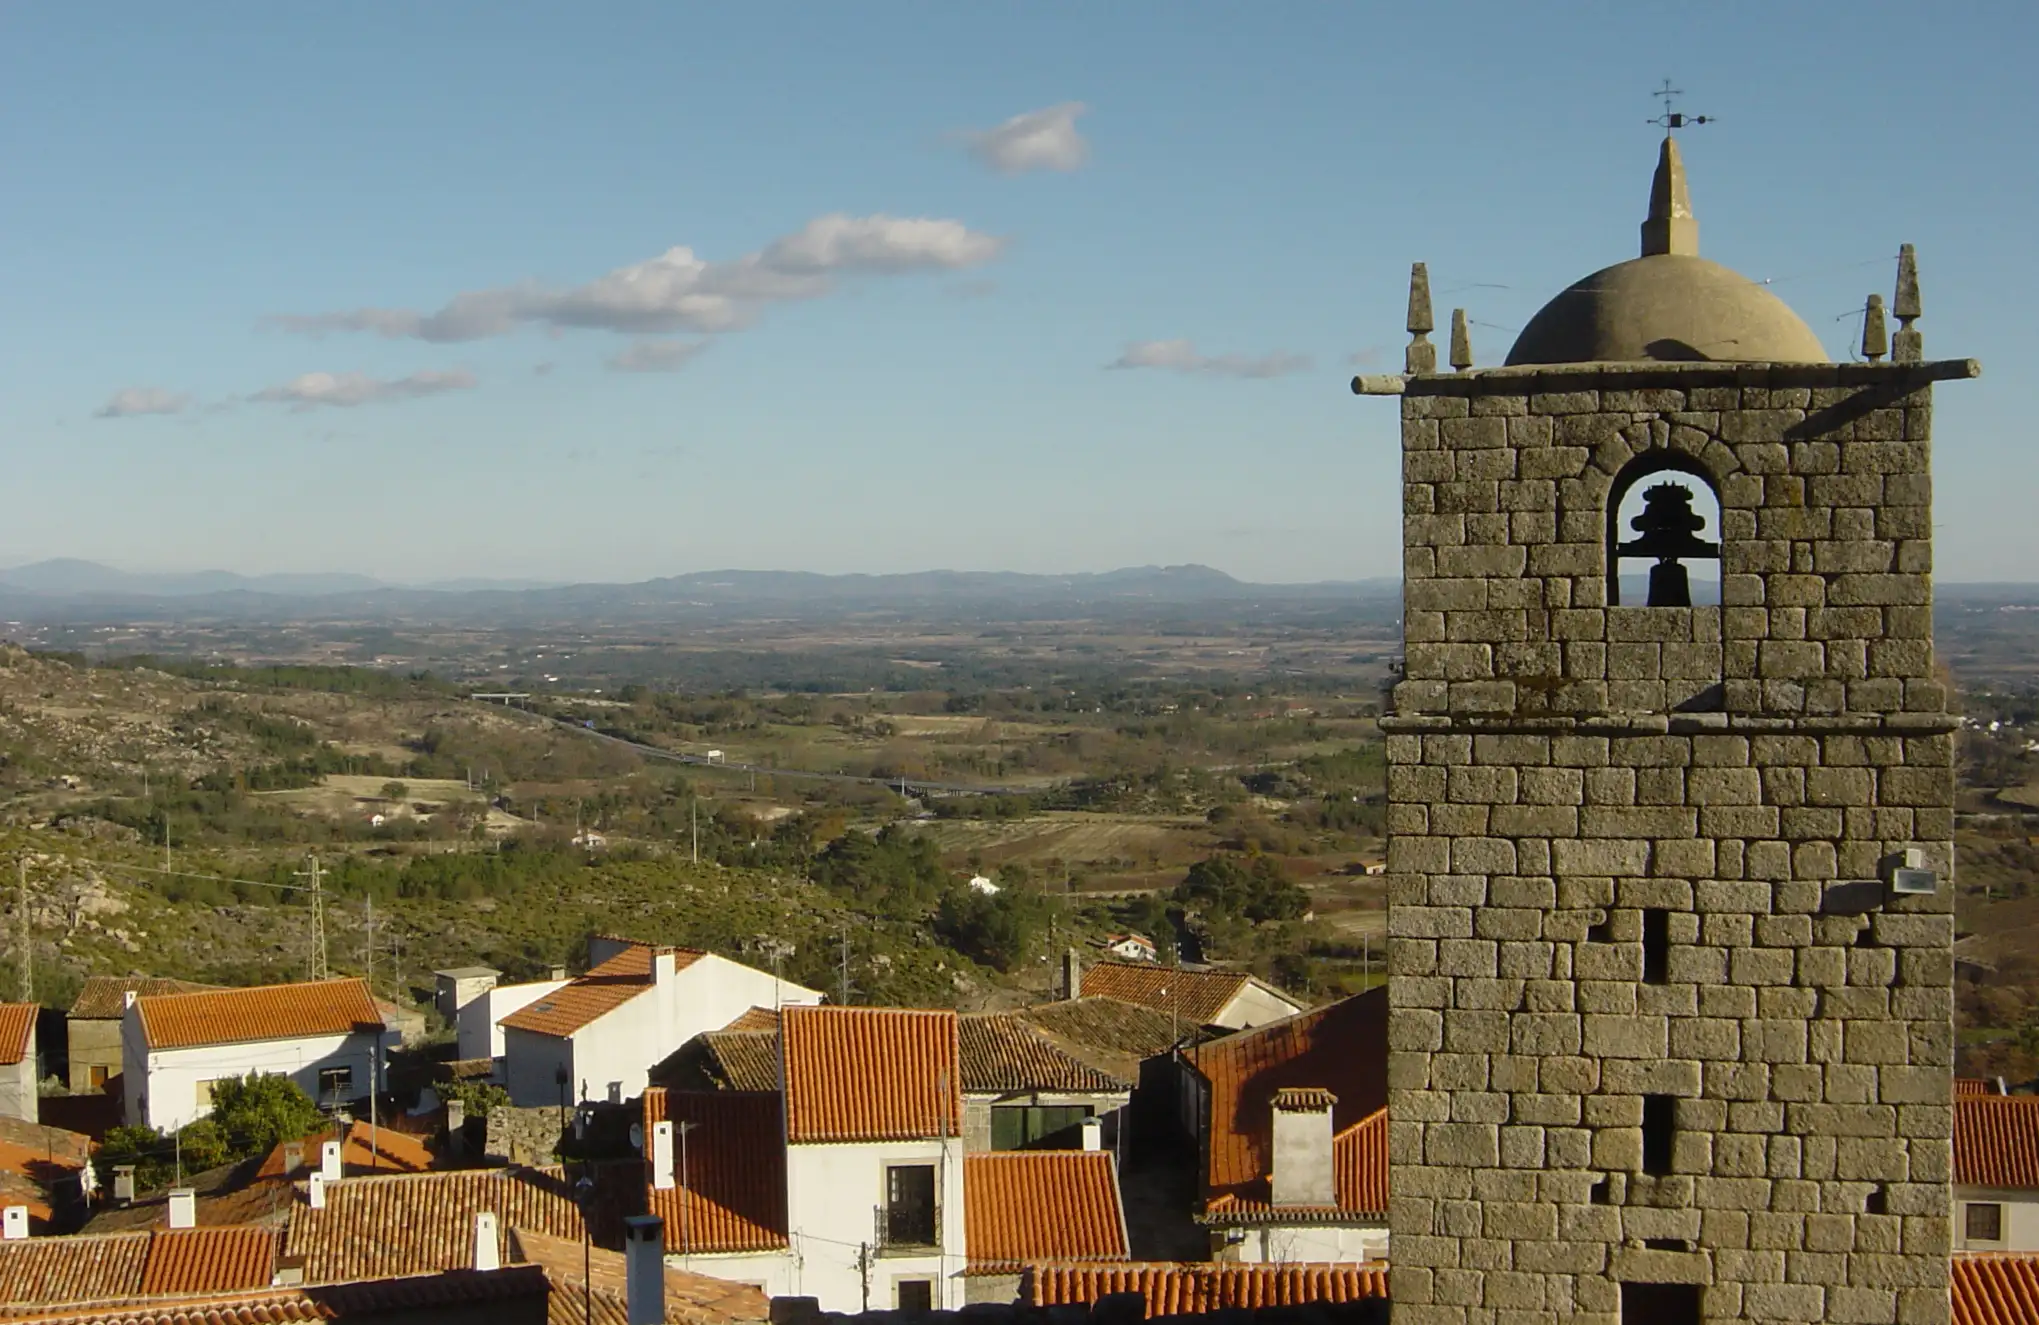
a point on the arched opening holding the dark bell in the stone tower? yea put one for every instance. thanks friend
(1665, 513)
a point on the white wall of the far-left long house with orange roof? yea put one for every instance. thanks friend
(162, 1085)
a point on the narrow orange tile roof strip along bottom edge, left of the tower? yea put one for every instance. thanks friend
(1196, 1289)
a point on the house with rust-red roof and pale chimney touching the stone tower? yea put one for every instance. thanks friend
(1292, 1124)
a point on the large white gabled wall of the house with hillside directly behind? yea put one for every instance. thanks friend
(629, 1041)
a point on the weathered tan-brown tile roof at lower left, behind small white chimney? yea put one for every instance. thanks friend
(417, 1224)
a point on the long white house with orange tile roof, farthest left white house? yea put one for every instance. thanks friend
(327, 1037)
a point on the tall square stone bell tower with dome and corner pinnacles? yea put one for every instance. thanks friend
(1671, 886)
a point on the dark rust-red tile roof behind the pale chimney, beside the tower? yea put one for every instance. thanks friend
(1341, 1049)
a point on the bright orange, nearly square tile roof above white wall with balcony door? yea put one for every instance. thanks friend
(870, 1075)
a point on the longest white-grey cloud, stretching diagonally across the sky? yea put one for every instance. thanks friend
(680, 290)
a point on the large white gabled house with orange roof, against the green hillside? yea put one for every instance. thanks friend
(600, 1035)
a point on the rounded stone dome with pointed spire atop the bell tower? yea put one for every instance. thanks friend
(1669, 305)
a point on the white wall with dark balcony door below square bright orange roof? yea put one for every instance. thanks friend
(835, 1196)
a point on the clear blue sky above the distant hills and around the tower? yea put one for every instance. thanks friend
(203, 199)
